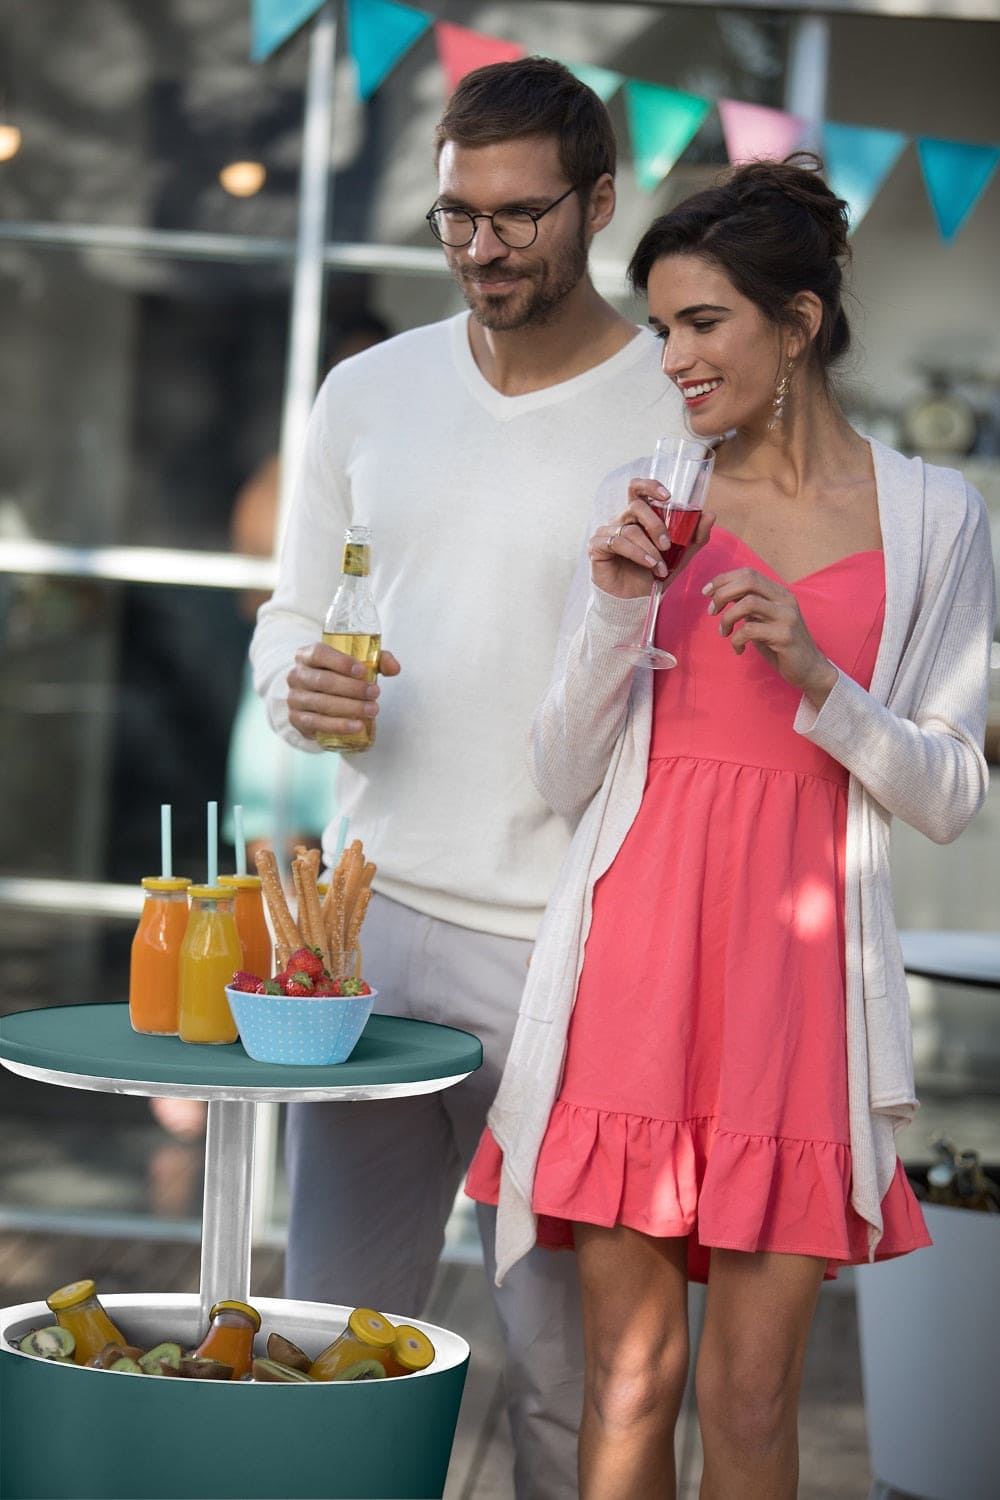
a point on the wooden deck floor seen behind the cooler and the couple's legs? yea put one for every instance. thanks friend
(833, 1424)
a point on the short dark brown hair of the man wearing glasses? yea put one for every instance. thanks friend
(533, 97)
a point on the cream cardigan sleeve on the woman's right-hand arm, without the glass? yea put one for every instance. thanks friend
(921, 755)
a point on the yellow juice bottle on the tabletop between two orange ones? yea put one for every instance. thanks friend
(209, 958)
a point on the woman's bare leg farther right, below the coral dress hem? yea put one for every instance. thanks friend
(758, 1321)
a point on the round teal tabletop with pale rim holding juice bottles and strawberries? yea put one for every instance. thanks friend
(95, 1048)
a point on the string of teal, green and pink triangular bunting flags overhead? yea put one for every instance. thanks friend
(662, 121)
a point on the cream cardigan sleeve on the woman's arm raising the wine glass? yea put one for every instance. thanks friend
(582, 715)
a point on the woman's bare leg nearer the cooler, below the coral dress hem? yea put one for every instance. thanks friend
(636, 1354)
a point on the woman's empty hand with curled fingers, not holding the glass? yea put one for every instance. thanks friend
(762, 613)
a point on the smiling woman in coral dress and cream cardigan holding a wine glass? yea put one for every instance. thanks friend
(713, 1052)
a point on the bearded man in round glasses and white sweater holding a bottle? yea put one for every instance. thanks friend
(473, 449)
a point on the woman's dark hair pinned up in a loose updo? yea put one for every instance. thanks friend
(774, 229)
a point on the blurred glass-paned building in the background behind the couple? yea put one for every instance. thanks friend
(166, 296)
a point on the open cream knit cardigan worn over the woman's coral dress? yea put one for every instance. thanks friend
(912, 746)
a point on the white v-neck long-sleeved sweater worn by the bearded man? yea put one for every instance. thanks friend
(479, 506)
